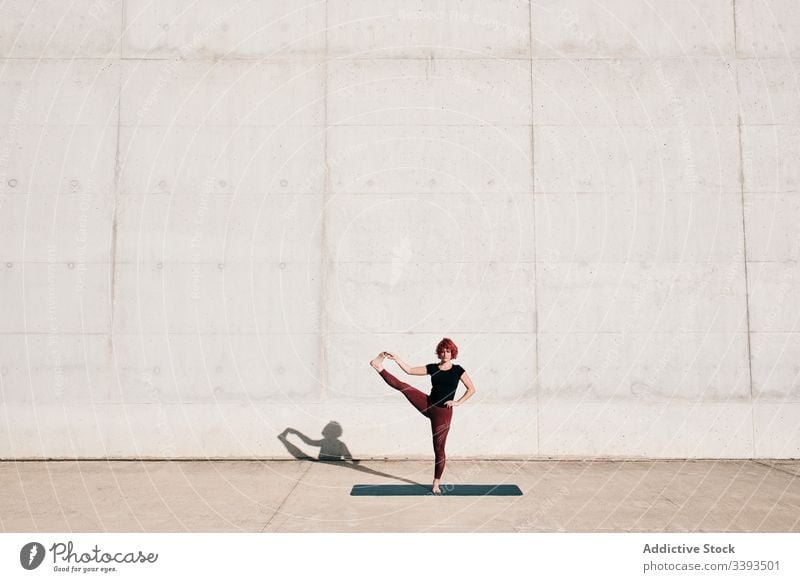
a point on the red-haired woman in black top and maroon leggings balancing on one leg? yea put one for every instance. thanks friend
(438, 406)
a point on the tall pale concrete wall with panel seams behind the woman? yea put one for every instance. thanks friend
(215, 213)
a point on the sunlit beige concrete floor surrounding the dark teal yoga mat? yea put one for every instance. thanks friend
(308, 496)
